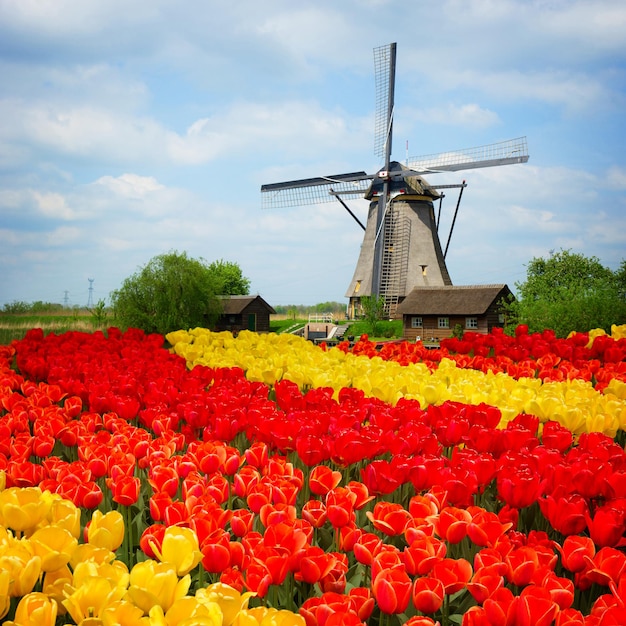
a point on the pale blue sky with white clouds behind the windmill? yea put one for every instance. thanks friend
(134, 128)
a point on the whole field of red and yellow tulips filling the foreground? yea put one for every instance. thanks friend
(203, 479)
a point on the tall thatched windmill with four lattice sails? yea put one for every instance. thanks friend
(401, 248)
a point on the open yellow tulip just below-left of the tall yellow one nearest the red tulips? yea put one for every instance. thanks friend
(154, 583)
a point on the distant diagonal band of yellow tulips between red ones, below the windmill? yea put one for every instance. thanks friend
(272, 357)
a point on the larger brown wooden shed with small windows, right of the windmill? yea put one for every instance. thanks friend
(432, 313)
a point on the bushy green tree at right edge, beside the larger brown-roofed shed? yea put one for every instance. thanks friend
(569, 291)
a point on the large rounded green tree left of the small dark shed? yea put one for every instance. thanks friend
(171, 292)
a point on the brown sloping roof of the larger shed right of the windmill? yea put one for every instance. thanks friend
(452, 299)
